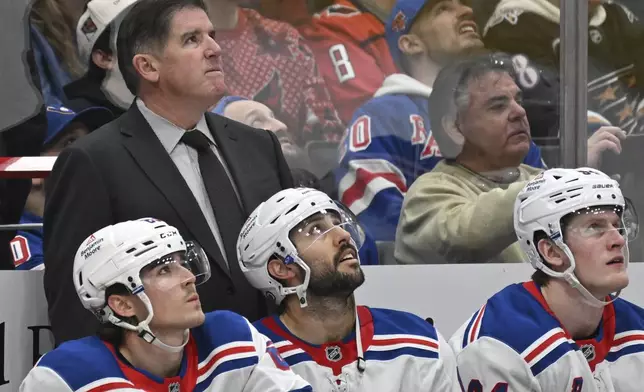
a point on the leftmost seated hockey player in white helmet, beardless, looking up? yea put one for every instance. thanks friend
(139, 278)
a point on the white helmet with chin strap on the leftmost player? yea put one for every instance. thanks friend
(118, 254)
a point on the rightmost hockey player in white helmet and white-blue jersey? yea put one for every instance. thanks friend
(565, 330)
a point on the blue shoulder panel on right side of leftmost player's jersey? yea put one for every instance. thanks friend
(221, 327)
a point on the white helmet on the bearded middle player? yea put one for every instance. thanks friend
(266, 234)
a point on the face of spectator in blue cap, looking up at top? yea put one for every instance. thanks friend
(447, 30)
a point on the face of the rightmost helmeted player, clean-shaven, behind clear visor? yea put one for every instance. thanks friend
(597, 243)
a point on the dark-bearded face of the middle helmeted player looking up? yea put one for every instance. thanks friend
(331, 255)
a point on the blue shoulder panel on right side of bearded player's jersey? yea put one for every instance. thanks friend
(393, 322)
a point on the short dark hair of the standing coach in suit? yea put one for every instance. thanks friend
(146, 27)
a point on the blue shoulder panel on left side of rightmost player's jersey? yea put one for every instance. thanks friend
(515, 306)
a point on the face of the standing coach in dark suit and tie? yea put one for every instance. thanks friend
(190, 65)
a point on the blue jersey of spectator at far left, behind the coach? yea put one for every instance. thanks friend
(26, 246)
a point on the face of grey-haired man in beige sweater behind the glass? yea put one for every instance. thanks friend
(494, 123)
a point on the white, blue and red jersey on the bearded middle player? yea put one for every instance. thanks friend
(402, 352)
